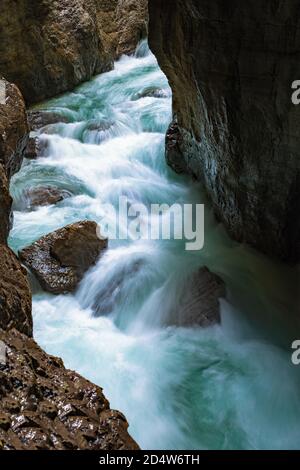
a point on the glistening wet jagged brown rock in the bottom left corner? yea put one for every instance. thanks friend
(45, 406)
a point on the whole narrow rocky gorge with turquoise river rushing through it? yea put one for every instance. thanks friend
(146, 321)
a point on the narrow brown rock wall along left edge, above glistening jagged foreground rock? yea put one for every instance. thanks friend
(15, 296)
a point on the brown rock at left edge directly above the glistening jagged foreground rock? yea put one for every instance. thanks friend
(15, 295)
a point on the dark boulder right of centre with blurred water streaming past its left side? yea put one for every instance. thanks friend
(199, 300)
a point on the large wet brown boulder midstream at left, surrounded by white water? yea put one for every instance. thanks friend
(60, 259)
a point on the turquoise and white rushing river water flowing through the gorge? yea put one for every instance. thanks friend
(228, 386)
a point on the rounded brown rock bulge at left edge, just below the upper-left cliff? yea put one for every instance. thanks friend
(13, 129)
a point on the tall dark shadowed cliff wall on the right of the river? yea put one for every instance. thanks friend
(235, 128)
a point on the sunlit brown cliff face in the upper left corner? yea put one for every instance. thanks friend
(49, 47)
